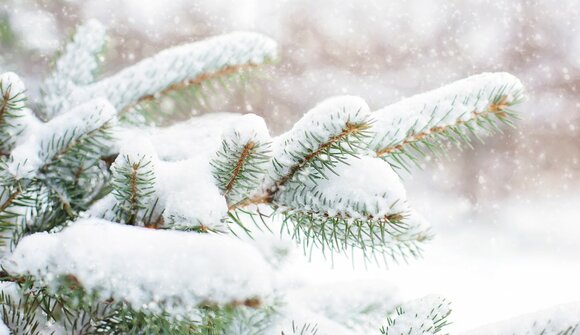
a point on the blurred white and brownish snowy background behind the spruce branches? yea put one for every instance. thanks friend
(506, 214)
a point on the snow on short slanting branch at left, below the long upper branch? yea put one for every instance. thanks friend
(45, 142)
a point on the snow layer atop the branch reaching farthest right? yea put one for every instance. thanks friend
(445, 106)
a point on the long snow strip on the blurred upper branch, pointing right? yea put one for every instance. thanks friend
(180, 64)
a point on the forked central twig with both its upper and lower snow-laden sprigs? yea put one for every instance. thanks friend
(328, 196)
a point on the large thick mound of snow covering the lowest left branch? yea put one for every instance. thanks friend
(158, 270)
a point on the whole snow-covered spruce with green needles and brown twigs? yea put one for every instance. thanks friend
(112, 225)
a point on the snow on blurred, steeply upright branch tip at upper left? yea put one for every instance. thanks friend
(76, 66)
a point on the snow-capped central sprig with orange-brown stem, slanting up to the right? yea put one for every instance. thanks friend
(319, 142)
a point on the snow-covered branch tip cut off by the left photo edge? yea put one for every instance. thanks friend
(12, 99)
